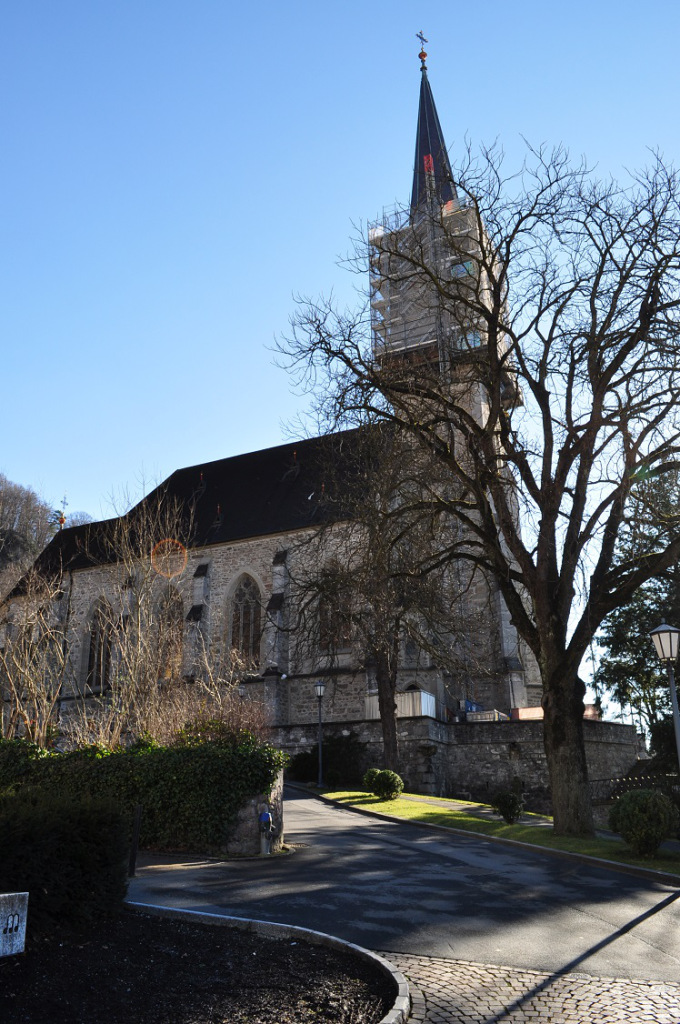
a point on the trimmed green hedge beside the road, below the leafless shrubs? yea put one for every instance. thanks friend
(190, 795)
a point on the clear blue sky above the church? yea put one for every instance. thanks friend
(174, 174)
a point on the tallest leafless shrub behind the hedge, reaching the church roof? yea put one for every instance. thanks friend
(135, 657)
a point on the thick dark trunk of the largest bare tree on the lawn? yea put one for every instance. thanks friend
(566, 753)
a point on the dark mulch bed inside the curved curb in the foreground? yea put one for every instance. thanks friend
(148, 970)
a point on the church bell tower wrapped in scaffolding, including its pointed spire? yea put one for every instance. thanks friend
(432, 271)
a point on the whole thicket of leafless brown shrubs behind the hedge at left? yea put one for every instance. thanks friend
(145, 672)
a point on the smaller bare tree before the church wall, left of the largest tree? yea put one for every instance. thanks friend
(369, 582)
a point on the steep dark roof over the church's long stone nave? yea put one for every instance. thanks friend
(265, 493)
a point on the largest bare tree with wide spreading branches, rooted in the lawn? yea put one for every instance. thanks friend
(536, 358)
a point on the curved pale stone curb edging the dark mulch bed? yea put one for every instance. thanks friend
(402, 1006)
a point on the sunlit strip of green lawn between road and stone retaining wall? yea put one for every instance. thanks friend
(536, 835)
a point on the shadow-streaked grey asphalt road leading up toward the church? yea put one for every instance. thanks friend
(396, 887)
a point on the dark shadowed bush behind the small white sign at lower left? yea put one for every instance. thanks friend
(70, 855)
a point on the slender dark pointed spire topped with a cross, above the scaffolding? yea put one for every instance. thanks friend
(433, 179)
